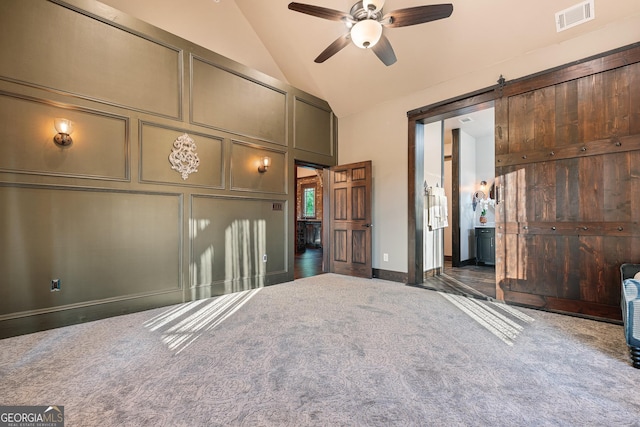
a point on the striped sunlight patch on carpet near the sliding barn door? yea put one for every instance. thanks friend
(487, 314)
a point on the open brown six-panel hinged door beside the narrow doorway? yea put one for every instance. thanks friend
(350, 219)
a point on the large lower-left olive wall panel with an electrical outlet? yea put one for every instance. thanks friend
(104, 245)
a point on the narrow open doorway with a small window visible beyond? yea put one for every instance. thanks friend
(309, 223)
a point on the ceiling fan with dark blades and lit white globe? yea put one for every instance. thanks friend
(365, 22)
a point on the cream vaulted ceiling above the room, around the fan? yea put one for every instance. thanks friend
(480, 34)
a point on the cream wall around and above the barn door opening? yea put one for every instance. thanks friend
(380, 132)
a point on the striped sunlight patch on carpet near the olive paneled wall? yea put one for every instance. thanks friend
(182, 325)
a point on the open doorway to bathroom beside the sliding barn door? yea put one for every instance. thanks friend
(466, 172)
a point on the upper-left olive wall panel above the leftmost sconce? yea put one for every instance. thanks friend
(113, 78)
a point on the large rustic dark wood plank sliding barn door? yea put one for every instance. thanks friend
(568, 175)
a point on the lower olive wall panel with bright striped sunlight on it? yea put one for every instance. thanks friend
(229, 236)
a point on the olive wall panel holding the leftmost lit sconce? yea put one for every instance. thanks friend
(28, 122)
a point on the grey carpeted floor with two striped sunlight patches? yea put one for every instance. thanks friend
(328, 351)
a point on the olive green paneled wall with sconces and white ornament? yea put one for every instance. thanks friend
(107, 215)
